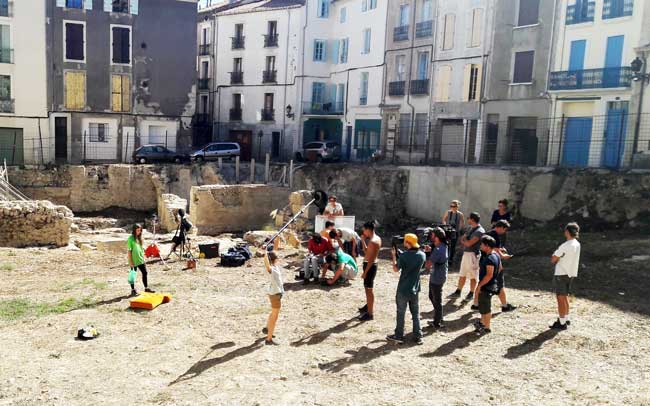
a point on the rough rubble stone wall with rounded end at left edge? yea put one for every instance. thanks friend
(34, 223)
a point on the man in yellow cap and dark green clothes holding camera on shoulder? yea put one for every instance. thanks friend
(408, 288)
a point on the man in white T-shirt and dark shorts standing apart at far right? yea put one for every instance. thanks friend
(566, 259)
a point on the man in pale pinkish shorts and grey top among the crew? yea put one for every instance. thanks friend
(471, 253)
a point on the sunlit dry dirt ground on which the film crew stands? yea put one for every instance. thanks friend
(205, 346)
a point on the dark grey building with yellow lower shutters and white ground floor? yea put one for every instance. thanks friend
(121, 73)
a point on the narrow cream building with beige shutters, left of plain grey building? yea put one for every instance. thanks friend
(461, 52)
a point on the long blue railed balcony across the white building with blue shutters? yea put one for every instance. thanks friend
(591, 79)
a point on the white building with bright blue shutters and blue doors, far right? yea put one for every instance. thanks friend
(591, 81)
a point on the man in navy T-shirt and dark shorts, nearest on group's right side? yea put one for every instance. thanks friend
(487, 286)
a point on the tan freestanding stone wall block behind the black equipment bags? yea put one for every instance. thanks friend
(217, 209)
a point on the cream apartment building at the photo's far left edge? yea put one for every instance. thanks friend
(23, 90)
